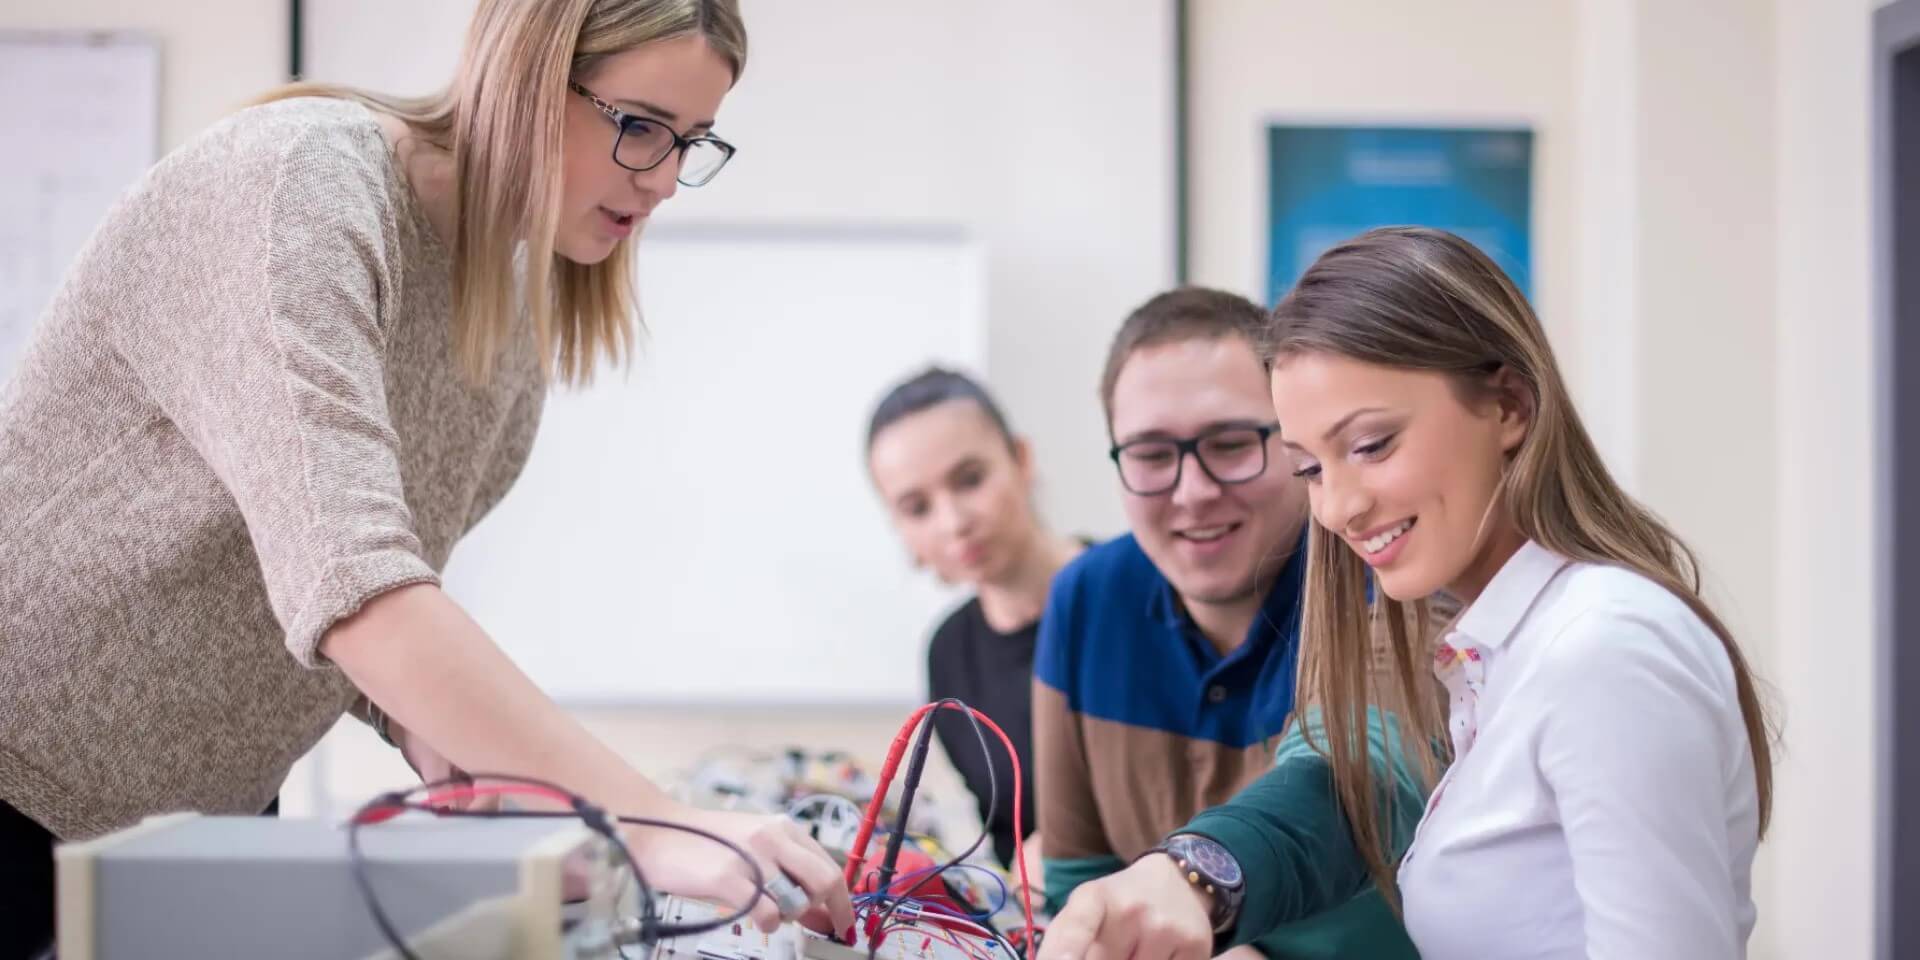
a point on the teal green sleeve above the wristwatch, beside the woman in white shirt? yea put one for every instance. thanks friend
(1291, 838)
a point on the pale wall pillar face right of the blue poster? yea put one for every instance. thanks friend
(1704, 327)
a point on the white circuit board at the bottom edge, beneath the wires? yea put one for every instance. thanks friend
(744, 942)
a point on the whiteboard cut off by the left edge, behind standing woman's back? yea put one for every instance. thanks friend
(82, 124)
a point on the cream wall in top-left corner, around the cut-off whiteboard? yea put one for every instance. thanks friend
(214, 55)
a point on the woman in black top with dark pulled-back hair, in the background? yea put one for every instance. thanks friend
(959, 487)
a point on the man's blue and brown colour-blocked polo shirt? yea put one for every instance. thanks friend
(1141, 725)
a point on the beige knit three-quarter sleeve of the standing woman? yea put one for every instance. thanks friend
(274, 366)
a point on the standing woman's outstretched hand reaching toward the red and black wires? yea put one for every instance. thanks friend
(696, 867)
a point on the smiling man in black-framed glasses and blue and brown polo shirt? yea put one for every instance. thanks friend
(1166, 663)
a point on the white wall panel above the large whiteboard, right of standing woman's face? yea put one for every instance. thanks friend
(1042, 133)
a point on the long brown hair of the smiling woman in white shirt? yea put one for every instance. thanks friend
(1429, 300)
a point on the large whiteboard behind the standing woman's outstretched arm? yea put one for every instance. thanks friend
(704, 531)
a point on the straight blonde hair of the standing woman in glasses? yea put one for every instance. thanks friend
(502, 124)
